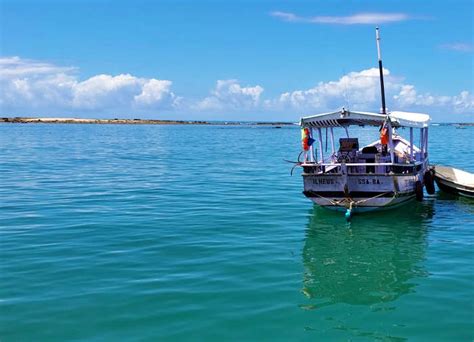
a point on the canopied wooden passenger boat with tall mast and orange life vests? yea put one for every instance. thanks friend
(388, 172)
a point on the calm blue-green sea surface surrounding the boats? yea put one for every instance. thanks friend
(199, 233)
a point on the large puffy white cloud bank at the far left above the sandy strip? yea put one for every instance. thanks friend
(37, 86)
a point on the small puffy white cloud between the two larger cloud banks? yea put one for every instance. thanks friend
(229, 94)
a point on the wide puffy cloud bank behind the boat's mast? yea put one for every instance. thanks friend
(361, 91)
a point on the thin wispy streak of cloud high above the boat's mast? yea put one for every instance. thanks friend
(355, 19)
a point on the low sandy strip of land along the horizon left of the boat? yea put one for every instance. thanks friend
(132, 121)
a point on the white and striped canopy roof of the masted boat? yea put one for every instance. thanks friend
(345, 118)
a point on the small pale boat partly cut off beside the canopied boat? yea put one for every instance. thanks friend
(454, 181)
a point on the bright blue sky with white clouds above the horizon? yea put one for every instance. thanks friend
(231, 60)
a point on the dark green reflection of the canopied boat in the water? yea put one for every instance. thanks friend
(375, 259)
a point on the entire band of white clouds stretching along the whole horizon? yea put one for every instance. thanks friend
(36, 88)
